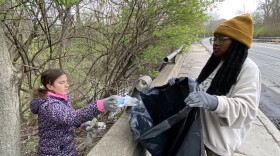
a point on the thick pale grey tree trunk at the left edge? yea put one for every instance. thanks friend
(9, 104)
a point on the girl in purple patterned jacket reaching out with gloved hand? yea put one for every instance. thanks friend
(56, 116)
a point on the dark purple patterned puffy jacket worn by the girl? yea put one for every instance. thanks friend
(56, 118)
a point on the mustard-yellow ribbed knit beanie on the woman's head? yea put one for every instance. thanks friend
(239, 28)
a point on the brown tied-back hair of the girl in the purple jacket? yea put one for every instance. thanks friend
(47, 77)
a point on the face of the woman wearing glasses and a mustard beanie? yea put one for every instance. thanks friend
(221, 45)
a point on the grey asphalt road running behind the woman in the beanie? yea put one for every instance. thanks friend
(267, 57)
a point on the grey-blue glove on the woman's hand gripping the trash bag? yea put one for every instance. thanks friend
(202, 99)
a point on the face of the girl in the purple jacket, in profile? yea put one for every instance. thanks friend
(60, 85)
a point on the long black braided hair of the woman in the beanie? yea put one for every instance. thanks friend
(227, 75)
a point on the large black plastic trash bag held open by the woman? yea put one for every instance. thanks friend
(163, 123)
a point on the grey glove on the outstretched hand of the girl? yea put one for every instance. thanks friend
(110, 103)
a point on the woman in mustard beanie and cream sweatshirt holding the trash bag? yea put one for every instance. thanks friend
(230, 88)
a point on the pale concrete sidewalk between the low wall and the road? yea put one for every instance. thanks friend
(263, 138)
